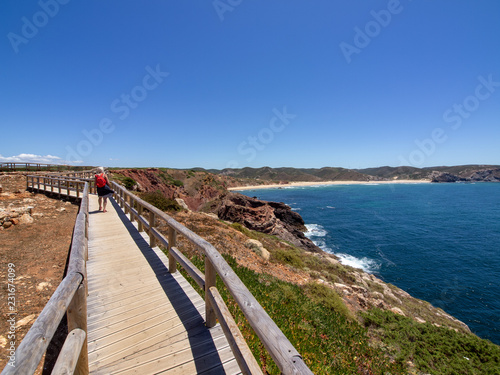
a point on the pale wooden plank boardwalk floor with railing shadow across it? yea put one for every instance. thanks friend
(141, 318)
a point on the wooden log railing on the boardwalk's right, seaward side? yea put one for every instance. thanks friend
(276, 343)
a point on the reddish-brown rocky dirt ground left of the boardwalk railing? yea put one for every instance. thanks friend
(36, 251)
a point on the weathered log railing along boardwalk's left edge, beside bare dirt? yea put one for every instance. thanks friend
(70, 298)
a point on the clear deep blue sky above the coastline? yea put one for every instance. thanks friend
(235, 83)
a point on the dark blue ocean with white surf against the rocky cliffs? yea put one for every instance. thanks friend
(438, 242)
